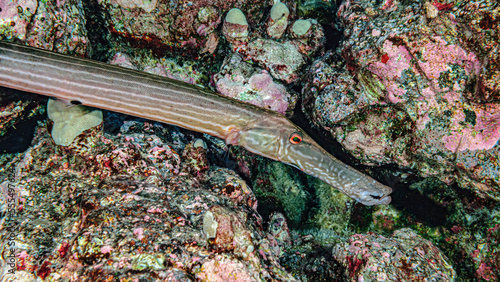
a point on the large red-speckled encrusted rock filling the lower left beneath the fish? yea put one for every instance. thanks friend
(124, 210)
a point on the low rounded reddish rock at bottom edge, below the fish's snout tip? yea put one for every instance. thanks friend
(405, 256)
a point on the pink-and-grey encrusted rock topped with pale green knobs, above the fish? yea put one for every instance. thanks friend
(282, 57)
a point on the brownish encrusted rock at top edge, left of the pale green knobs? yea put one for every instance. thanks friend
(184, 26)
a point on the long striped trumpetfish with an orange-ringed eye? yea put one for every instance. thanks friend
(135, 93)
